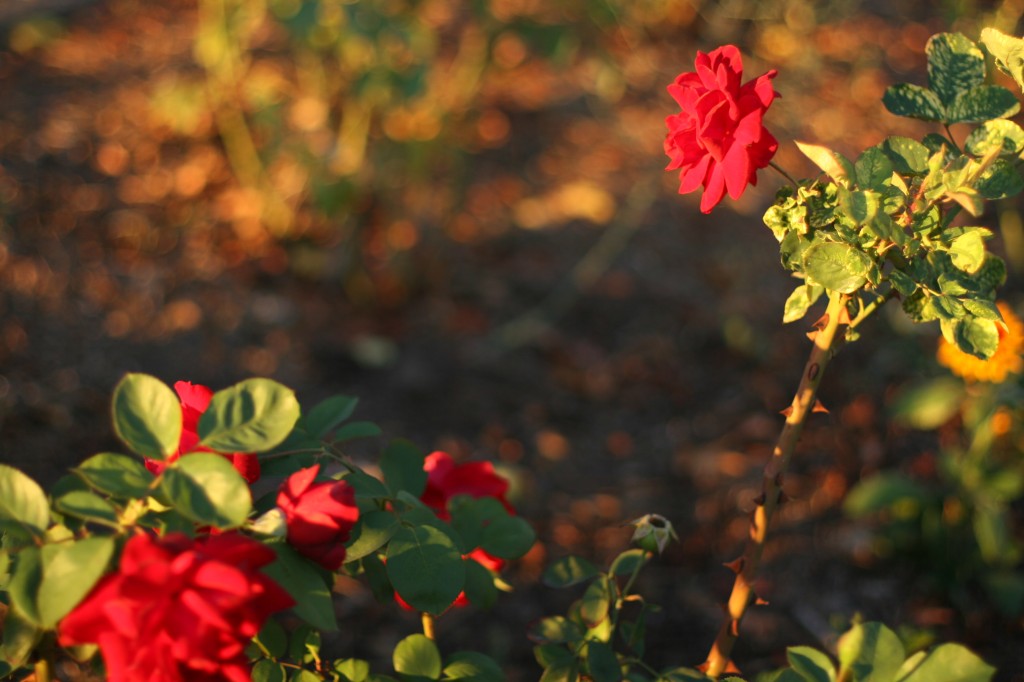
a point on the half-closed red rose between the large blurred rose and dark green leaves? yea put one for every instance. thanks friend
(320, 517)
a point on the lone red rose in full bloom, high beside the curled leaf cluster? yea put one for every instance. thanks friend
(718, 141)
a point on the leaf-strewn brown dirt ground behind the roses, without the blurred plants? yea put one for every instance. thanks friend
(654, 388)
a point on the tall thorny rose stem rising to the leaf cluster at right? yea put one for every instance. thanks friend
(746, 568)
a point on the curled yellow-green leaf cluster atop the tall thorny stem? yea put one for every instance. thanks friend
(883, 226)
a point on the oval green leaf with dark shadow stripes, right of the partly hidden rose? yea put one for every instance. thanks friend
(252, 416)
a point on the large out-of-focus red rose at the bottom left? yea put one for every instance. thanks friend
(179, 610)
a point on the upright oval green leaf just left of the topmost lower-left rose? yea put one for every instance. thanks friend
(147, 416)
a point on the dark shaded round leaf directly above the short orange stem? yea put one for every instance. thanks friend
(425, 568)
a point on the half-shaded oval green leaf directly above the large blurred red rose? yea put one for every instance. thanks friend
(205, 488)
